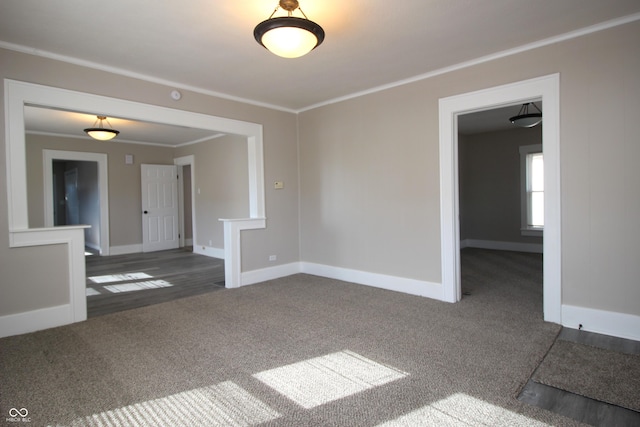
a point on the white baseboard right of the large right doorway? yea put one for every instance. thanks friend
(619, 325)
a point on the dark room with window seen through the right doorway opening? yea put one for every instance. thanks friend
(497, 249)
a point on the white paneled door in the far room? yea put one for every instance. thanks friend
(159, 208)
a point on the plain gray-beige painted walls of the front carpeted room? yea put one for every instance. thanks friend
(362, 176)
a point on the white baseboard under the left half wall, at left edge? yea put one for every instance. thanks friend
(35, 320)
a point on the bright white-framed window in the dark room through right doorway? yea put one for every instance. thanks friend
(532, 189)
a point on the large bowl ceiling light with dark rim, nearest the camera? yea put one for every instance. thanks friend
(289, 36)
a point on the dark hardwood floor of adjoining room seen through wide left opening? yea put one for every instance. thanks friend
(122, 282)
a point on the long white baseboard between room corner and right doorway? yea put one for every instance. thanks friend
(392, 283)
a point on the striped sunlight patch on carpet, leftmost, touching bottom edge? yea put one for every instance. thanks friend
(224, 404)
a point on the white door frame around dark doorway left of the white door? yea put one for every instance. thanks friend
(48, 156)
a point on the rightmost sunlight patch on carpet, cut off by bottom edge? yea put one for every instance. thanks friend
(462, 409)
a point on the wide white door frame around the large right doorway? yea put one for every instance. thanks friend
(546, 88)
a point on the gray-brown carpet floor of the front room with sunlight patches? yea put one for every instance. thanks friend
(297, 351)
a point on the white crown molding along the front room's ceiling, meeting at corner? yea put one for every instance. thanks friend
(545, 42)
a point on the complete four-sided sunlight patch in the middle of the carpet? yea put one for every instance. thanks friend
(320, 380)
